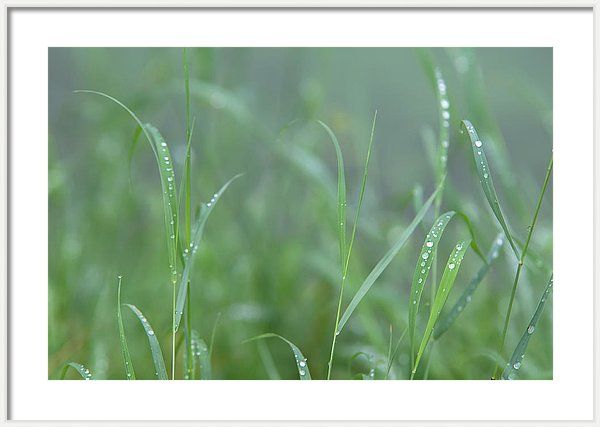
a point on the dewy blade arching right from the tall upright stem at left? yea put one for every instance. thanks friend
(189, 253)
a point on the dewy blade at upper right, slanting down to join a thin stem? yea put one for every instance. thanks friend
(485, 177)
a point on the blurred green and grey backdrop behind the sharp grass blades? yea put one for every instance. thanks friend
(269, 258)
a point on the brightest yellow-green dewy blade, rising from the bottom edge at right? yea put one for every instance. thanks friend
(446, 284)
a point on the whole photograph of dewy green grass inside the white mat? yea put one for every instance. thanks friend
(300, 213)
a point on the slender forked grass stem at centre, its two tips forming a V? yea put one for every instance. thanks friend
(345, 257)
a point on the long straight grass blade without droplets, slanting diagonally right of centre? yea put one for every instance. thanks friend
(385, 261)
